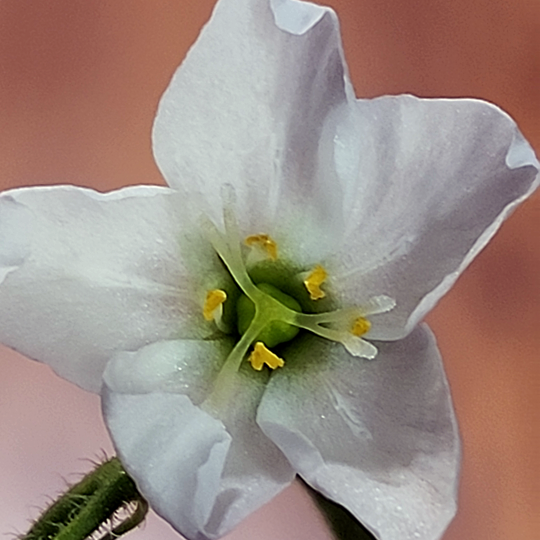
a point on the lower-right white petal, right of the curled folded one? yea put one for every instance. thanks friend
(378, 437)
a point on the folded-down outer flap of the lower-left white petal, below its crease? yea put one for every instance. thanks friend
(175, 452)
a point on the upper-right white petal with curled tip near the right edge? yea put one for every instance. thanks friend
(427, 183)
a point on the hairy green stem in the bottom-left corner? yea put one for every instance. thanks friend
(90, 505)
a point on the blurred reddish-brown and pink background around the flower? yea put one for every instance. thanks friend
(79, 85)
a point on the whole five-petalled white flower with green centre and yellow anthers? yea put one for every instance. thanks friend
(379, 203)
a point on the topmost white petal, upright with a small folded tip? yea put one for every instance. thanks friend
(247, 108)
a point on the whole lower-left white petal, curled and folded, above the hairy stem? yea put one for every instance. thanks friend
(202, 474)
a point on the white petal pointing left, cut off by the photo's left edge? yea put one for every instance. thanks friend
(86, 274)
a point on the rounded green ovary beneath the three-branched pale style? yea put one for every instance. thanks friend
(275, 331)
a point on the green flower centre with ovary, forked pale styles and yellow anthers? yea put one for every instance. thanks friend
(271, 309)
